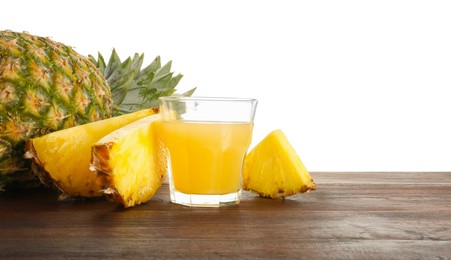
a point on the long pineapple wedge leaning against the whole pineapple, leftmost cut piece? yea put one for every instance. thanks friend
(61, 159)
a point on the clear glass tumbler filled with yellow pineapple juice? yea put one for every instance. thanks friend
(206, 139)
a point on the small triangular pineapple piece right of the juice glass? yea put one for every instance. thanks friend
(273, 169)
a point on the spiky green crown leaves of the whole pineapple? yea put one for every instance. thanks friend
(134, 88)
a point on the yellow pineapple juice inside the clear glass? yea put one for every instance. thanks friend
(206, 158)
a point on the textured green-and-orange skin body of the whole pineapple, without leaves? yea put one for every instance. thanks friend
(44, 86)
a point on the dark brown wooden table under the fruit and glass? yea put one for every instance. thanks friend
(349, 216)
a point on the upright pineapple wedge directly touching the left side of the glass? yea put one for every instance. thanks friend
(131, 162)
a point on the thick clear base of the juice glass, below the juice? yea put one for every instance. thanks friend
(212, 201)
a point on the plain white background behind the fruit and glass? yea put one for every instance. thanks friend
(355, 85)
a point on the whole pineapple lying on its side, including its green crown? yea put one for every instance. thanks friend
(46, 86)
